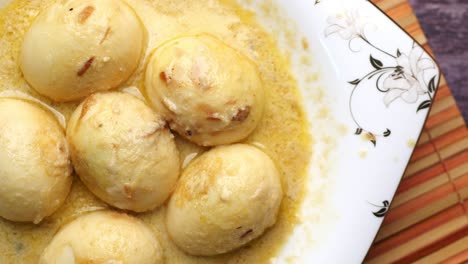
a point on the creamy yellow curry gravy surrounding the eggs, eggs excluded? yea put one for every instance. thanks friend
(282, 133)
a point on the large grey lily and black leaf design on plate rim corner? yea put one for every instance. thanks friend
(405, 79)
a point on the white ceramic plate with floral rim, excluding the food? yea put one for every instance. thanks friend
(367, 89)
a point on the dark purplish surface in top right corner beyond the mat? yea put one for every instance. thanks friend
(445, 23)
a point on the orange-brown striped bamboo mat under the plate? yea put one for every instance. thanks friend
(428, 219)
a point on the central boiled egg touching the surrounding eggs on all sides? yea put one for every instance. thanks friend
(123, 151)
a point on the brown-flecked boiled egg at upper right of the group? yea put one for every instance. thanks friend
(210, 93)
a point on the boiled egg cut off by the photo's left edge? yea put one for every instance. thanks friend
(35, 169)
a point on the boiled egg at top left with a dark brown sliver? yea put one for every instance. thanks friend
(78, 47)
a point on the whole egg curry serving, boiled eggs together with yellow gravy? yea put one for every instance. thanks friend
(143, 131)
